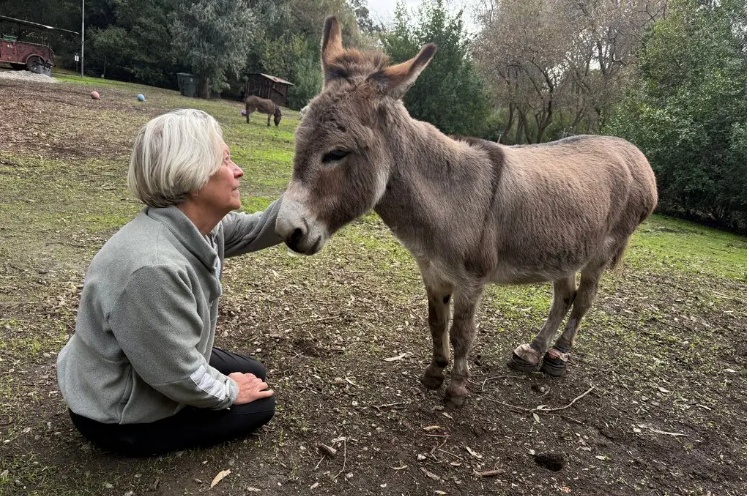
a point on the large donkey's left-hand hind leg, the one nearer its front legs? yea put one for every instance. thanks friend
(526, 358)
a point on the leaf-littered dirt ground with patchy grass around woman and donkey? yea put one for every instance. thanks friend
(654, 402)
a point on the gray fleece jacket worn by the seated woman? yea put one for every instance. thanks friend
(147, 317)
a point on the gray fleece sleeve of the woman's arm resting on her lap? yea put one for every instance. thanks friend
(158, 327)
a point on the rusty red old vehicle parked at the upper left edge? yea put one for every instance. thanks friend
(26, 45)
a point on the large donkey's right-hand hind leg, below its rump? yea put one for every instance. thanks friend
(555, 360)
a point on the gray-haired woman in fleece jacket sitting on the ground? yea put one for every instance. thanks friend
(140, 375)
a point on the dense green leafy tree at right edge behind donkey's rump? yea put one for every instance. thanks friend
(689, 112)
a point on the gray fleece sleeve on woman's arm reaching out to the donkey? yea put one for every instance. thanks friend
(244, 233)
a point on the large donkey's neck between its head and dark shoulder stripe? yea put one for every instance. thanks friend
(434, 182)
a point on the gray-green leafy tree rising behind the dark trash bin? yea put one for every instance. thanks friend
(214, 37)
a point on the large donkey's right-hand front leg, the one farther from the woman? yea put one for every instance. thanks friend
(462, 334)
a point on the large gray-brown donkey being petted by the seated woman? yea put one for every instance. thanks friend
(470, 211)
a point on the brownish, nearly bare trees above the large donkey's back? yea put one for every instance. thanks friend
(558, 67)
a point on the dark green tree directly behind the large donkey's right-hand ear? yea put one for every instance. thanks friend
(450, 94)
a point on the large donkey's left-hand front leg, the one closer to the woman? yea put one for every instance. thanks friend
(438, 293)
